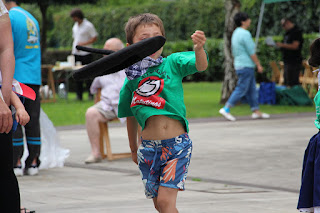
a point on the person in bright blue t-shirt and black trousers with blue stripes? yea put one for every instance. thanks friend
(27, 52)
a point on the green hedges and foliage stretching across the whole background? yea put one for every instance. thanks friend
(181, 18)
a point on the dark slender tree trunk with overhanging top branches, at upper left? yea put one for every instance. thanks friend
(43, 5)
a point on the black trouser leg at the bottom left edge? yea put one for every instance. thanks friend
(9, 195)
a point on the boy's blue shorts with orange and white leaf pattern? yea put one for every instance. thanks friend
(164, 163)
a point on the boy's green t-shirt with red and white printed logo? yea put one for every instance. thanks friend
(159, 91)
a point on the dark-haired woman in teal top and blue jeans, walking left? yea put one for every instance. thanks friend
(245, 61)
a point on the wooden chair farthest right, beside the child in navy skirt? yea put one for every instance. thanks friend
(309, 80)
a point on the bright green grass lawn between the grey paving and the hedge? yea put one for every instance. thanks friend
(201, 99)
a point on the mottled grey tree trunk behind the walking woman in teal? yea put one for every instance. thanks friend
(232, 7)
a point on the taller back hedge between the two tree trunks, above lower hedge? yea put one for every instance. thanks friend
(179, 21)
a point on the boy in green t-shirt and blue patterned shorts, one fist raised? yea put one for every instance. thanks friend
(153, 97)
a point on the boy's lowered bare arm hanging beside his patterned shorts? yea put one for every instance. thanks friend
(132, 128)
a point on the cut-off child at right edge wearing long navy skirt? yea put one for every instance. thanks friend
(309, 199)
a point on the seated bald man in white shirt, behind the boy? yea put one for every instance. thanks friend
(107, 108)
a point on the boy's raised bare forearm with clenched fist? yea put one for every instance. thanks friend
(199, 39)
